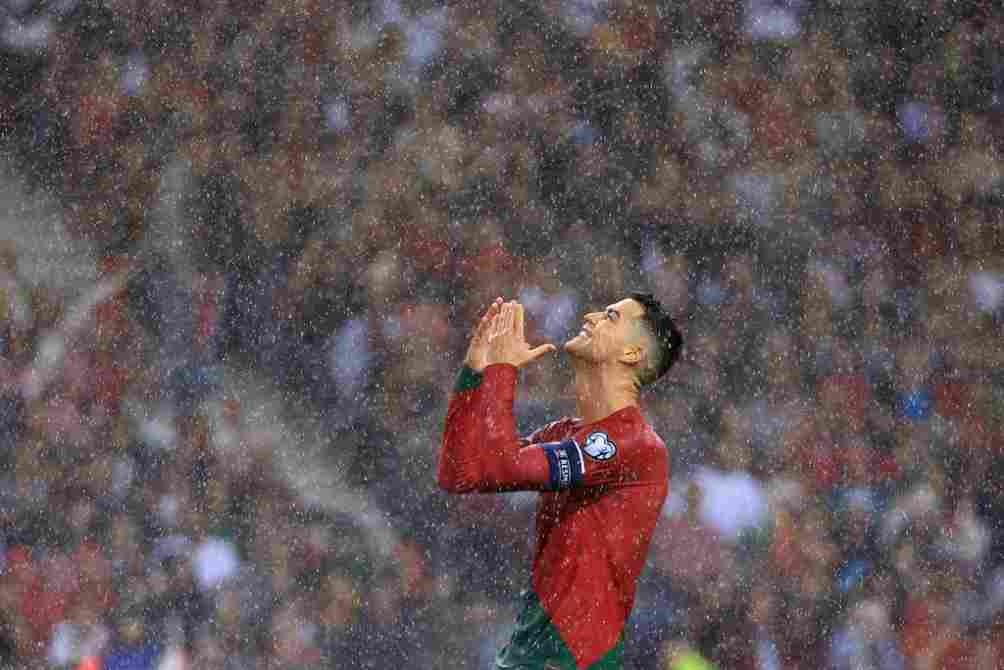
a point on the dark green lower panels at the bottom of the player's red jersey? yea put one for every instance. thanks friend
(538, 645)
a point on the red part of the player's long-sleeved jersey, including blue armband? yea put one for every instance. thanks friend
(603, 488)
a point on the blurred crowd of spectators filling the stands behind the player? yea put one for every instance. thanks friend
(331, 192)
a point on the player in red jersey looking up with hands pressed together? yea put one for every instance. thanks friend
(604, 477)
